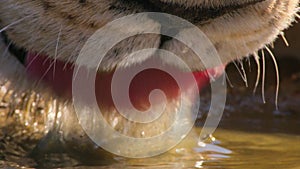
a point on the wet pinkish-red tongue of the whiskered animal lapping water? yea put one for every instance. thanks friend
(59, 75)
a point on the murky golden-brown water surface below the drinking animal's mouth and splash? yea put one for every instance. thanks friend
(236, 149)
